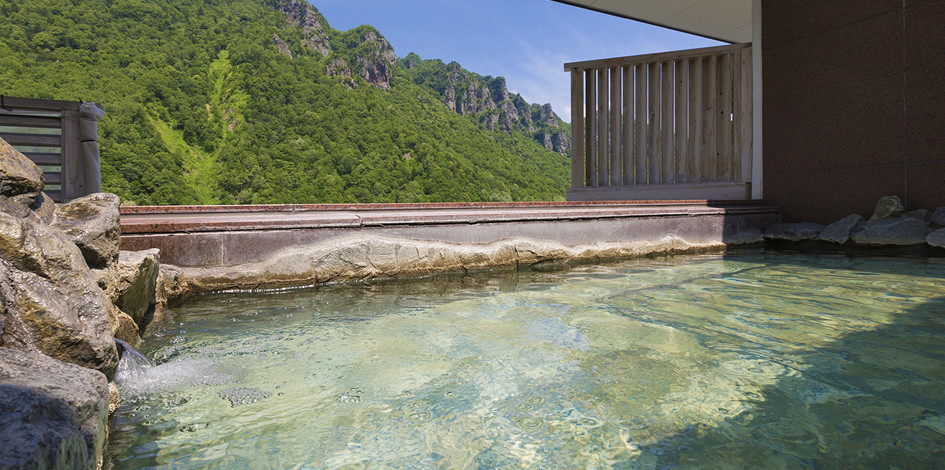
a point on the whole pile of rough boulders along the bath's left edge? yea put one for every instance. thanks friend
(57, 324)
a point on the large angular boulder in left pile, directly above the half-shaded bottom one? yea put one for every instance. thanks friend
(49, 300)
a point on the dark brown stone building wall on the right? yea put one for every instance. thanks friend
(854, 105)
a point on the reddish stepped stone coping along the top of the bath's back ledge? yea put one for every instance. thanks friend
(193, 219)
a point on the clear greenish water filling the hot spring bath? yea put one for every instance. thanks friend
(755, 360)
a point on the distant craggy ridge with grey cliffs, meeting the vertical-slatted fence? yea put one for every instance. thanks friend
(489, 101)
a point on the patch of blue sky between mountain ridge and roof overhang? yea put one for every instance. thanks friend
(525, 41)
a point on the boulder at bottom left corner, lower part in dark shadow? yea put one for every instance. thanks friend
(52, 414)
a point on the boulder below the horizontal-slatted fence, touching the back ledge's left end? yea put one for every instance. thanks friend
(92, 223)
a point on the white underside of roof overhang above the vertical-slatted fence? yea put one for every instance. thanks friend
(724, 20)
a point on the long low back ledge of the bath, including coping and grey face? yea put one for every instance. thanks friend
(217, 236)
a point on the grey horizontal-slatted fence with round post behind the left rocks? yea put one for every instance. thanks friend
(59, 136)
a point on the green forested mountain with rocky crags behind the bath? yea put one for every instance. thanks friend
(261, 101)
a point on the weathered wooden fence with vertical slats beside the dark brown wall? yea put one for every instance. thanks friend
(674, 125)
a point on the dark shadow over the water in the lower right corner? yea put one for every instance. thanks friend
(869, 399)
